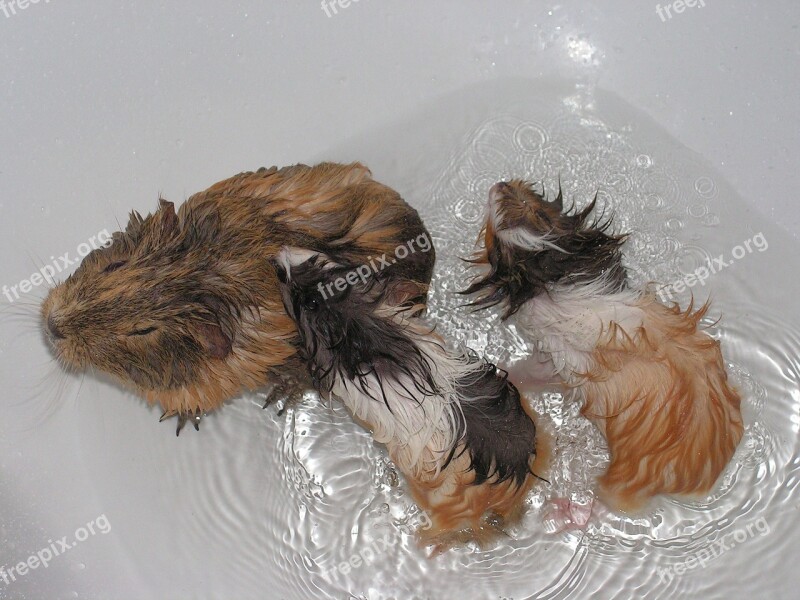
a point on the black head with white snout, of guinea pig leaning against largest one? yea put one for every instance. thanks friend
(345, 324)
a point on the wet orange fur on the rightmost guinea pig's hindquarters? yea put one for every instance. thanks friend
(661, 398)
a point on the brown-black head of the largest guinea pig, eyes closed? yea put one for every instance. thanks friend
(142, 309)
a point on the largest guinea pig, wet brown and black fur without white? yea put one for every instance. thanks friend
(184, 307)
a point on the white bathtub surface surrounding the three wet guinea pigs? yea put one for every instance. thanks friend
(107, 105)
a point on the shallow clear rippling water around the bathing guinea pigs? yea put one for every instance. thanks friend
(281, 503)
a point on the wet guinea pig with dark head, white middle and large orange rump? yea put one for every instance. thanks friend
(651, 380)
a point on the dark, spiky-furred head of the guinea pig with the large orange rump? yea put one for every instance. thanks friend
(530, 243)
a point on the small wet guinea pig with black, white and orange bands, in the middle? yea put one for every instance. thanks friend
(453, 424)
